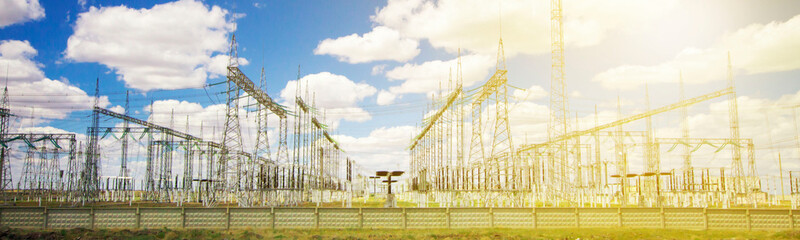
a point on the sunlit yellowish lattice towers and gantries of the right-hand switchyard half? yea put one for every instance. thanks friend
(568, 169)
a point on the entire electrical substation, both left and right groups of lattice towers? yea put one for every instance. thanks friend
(464, 155)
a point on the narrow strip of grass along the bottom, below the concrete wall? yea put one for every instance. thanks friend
(624, 233)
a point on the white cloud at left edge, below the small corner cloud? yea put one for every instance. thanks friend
(29, 90)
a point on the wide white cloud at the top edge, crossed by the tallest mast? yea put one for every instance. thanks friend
(474, 24)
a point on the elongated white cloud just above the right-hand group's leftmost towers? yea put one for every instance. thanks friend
(425, 77)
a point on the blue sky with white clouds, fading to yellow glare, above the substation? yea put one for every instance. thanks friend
(612, 48)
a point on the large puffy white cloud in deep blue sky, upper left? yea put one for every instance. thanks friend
(169, 46)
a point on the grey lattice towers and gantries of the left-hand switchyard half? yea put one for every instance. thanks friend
(182, 168)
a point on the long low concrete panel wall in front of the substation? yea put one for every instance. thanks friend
(399, 218)
